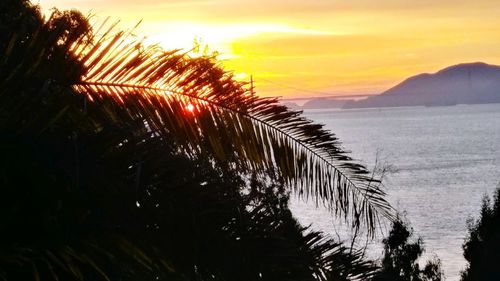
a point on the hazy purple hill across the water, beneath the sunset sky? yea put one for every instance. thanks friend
(468, 83)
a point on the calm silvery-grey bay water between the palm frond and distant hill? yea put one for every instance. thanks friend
(446, 160)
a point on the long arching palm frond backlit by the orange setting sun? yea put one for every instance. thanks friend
(194, 99)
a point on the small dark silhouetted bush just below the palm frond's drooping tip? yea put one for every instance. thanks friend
(400, 263)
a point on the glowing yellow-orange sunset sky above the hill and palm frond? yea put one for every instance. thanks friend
(318, 47)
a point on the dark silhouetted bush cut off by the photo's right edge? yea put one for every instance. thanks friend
(482, 247)
